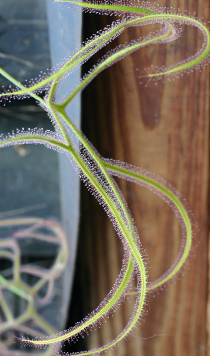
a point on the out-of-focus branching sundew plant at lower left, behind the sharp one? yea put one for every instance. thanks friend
(28, 288)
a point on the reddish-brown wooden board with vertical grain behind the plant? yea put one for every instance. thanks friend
(163, 128)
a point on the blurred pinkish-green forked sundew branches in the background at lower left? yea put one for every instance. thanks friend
(9, 248)
